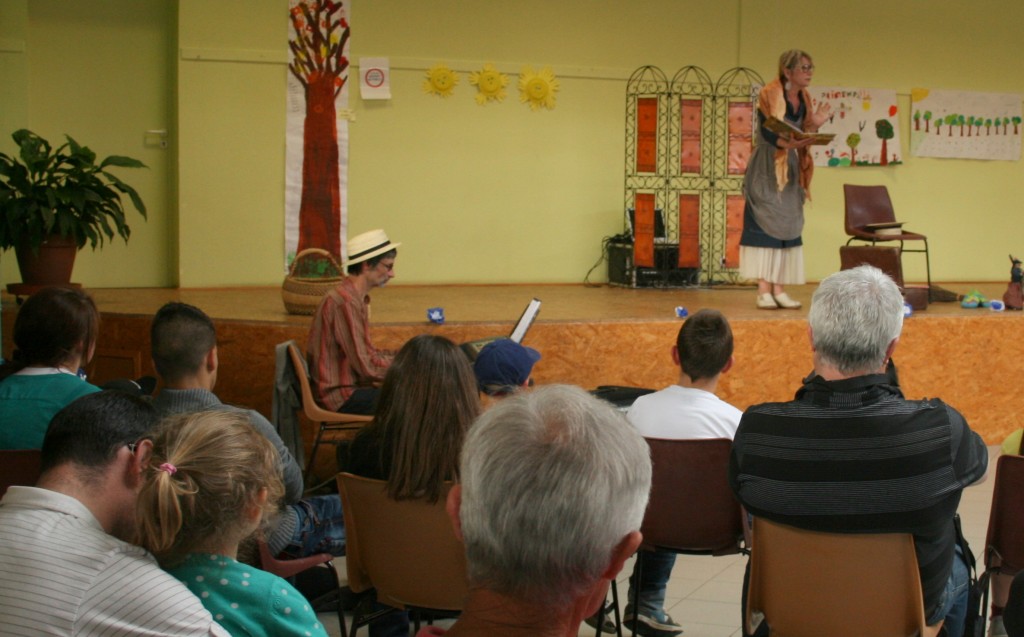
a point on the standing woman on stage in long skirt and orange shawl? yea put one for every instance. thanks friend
(778, 181)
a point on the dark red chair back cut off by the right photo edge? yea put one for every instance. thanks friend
(1005, 541)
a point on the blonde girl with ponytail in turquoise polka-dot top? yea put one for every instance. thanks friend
(212, 480)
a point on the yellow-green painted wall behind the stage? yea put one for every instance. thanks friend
(496, 194)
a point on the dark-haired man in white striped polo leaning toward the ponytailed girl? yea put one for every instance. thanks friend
(65, 566)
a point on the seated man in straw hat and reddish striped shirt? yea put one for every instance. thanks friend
(345, 366)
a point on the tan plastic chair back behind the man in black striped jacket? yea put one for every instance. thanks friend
(808, 584)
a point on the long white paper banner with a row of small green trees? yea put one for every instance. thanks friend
(966, 125)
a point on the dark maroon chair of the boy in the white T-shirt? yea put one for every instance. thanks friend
(692, 509)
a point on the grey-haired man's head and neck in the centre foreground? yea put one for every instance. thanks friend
(554, 486)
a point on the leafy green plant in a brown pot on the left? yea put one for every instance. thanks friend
(57, 200)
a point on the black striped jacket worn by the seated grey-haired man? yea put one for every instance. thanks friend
(856, 456)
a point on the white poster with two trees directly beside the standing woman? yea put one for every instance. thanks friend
(866, 123)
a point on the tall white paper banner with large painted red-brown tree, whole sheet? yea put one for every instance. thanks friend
(317, 155)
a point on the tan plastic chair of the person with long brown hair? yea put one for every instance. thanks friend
(405, 549)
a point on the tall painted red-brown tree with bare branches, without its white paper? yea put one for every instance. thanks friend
(318, 45)
